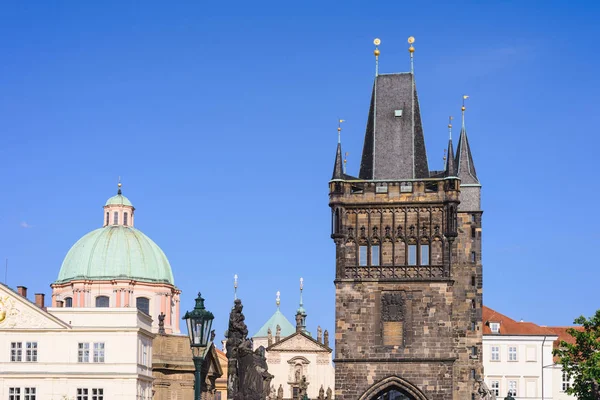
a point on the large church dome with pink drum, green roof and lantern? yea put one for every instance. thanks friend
(119, 266)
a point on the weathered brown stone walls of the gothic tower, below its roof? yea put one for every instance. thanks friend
(437, 306)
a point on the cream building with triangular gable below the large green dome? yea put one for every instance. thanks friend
(73, 353)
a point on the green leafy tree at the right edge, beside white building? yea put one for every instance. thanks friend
(581, 360)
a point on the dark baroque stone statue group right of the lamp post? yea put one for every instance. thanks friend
(247, 376)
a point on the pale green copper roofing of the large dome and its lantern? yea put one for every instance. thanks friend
(116, 252)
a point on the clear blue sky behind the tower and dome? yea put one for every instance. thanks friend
(221, 119)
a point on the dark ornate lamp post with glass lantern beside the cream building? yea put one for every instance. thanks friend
(199, 322)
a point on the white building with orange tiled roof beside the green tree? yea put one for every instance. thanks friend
(517, 357)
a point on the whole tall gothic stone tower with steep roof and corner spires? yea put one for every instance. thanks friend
(408, 260)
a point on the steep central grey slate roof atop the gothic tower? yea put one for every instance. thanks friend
(394, 147)
